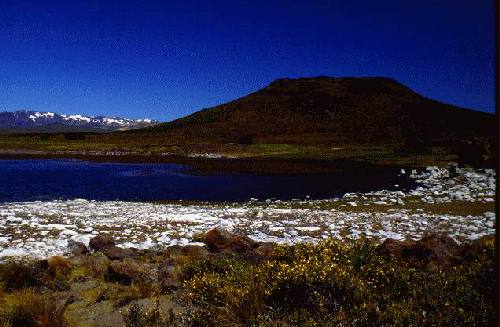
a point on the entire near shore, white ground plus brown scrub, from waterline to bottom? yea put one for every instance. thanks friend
(381, 257)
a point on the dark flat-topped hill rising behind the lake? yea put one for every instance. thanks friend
(371, 110)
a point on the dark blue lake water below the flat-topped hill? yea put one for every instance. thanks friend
(31, 180)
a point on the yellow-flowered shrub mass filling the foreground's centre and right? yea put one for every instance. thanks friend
(340, 284)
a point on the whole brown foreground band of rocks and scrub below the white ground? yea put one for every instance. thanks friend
(234, 281)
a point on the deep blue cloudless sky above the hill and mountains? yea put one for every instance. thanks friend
(165, 59)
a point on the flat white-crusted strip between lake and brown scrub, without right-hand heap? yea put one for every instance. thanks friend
(145, 225)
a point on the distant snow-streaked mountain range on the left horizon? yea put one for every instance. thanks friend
(45, 122)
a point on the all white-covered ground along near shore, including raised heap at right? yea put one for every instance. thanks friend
(40, 229)
